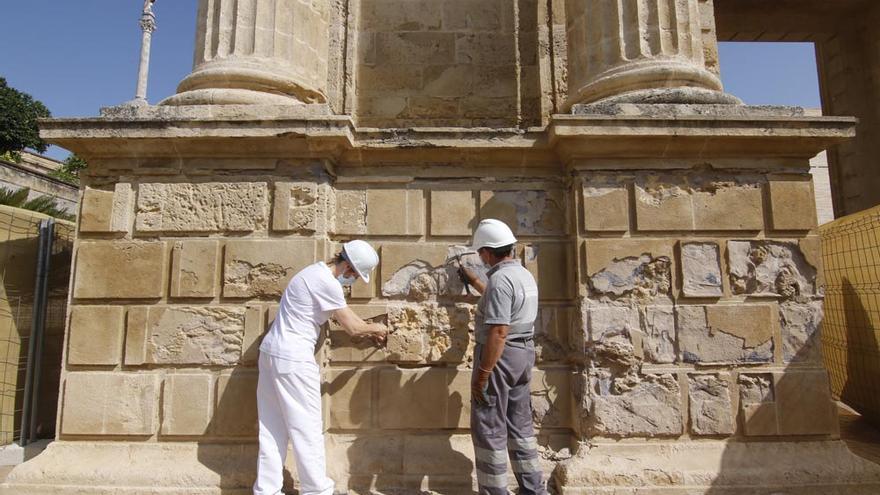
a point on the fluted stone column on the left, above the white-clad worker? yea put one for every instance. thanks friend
(258, 52)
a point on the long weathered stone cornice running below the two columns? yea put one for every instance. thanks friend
(627, 131)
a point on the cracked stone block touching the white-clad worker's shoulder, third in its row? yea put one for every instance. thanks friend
(264, 268)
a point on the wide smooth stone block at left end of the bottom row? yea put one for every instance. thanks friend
(99, 403)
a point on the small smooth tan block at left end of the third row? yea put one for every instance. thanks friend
(96, 334)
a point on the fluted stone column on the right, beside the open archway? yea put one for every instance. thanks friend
(641, 51)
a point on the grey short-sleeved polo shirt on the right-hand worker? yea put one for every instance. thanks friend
(511, 298)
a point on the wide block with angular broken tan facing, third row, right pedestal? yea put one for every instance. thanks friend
(741, 333)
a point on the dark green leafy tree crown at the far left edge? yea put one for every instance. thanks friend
(18, 121)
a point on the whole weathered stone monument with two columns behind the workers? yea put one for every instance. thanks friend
(671, 230)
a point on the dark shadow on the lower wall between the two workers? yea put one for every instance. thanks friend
(389, 462)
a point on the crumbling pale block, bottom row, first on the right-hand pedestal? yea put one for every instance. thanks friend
(631, 405)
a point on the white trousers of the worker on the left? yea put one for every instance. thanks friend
(289, 409)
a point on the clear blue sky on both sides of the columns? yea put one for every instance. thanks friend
(78, 56)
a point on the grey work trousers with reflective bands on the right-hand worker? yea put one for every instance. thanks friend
(504, 426)
